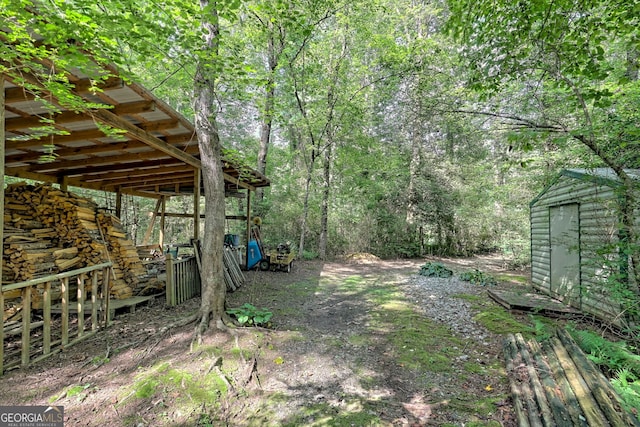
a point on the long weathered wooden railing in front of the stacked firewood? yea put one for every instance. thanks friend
(33, 348)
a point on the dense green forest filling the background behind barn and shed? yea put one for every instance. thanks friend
(398, 128)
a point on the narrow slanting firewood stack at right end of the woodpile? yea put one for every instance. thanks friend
(127, 266)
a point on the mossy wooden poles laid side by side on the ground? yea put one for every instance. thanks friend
(555, 384)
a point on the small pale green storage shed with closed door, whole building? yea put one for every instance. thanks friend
(575, 225)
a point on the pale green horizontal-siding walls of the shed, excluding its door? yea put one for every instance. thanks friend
(598, 231)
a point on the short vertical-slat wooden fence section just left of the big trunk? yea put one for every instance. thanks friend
(183, 279)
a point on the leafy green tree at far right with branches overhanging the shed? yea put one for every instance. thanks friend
(575, 64)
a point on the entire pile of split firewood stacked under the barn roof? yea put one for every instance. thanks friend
(48, 231)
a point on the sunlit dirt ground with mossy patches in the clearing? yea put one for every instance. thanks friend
(321, 363)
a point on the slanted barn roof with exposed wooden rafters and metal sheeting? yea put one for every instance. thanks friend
(156, 155)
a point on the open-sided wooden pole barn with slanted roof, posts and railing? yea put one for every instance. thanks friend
(153, 154)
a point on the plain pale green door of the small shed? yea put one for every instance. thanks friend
(565, 253)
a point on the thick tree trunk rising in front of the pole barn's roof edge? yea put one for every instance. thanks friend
(213, 286)
